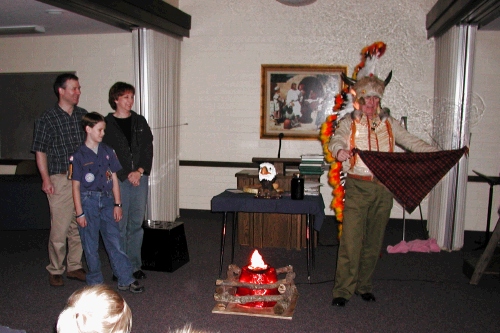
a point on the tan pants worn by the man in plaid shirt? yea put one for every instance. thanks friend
(63, 227)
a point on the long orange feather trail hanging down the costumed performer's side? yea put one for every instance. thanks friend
(326, 132)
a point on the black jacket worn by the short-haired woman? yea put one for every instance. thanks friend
(140, 152)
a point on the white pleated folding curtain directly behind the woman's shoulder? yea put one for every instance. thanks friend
(157, 63)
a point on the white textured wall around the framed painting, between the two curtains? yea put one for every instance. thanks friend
(230, 39)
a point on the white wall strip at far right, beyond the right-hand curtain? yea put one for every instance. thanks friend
(485, 120)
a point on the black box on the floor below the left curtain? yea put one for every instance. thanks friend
(164, 247)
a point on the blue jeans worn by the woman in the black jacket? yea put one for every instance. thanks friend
(134, 200)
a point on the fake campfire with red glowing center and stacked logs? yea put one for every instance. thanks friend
(255, 290)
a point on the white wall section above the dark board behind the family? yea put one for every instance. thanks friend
(99, 61)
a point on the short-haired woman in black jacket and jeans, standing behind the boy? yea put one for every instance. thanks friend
(129, 134)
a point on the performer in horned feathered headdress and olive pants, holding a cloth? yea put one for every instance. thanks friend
(368, 203)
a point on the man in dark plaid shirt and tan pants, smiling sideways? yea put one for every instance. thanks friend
(58, 134)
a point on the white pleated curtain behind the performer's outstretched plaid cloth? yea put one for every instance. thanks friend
(452, 95)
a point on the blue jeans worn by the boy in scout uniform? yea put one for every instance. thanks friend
(98, 208)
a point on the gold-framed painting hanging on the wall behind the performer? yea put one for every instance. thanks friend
(296, 99)
